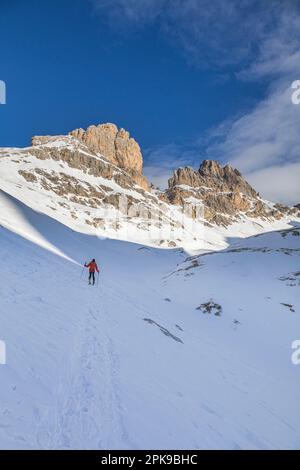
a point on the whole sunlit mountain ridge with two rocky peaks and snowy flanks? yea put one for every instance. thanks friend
(68, 178)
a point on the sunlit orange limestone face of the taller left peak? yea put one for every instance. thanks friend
(116, 146)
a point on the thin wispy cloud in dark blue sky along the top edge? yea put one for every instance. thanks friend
(209, 33)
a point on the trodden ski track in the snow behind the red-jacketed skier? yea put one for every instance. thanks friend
(88, 408)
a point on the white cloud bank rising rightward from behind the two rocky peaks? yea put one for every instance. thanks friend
(263, 144)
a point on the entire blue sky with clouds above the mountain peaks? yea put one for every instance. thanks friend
(189, 79)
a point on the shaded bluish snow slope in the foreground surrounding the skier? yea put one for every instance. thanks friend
(135, 362)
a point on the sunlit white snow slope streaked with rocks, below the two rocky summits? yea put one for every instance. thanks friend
(64, 179)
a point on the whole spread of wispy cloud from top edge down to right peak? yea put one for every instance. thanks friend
(258, 40)
